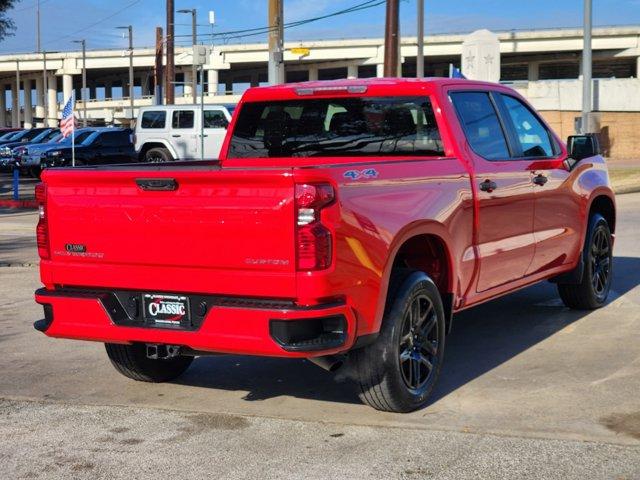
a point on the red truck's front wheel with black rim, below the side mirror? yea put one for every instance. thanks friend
(593, 290)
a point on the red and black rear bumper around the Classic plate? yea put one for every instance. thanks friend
(222, 325)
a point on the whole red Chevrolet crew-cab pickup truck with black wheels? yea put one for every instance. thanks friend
(345, 220)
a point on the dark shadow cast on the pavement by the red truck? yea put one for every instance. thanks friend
(483, 338)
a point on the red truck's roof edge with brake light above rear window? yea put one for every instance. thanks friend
(373, 86)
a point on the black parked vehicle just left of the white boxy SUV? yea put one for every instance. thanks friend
(100, 147)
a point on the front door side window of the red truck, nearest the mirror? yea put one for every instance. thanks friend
(533, 136)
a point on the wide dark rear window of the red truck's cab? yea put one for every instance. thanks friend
(362, 126)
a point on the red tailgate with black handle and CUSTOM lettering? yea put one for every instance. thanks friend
(219, 231)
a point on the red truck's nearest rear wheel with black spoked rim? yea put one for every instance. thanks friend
(399, 371)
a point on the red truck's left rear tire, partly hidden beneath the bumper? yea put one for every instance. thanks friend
(132, 362)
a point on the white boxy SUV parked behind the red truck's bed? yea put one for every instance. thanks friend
(172, 132)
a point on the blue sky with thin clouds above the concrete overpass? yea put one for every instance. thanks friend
(96, 20)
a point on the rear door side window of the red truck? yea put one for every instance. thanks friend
(481, 125)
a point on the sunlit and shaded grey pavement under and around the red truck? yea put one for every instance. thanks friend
(529, 389)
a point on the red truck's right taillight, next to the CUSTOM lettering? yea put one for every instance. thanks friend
(314, 240)
